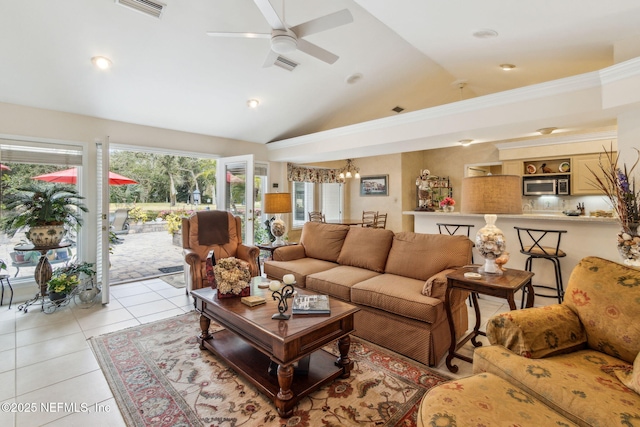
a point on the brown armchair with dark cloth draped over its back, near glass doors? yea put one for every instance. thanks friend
(219, 231)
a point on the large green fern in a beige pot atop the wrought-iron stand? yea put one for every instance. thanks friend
(46, 212)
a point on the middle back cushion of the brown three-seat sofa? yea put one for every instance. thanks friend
(366, 248)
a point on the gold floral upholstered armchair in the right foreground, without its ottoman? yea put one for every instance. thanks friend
(580, 358)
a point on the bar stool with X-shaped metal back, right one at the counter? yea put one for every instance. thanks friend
(531, 244)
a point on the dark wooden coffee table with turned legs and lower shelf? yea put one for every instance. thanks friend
(252, 341)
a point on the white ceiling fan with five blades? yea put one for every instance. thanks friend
(286, 39)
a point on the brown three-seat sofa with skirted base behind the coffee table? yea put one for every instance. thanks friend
(397, 280)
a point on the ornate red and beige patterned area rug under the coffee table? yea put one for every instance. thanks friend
(160, 377)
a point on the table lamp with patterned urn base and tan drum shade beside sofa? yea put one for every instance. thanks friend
(491, 195)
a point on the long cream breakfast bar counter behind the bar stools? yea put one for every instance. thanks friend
(586, 236)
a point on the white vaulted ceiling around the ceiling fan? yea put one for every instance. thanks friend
(168, 73)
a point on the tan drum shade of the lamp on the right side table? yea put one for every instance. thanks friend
(492, 194)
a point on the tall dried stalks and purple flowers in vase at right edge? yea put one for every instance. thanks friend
(620, 189)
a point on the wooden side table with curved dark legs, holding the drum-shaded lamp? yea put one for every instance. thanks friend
(502, 286)
